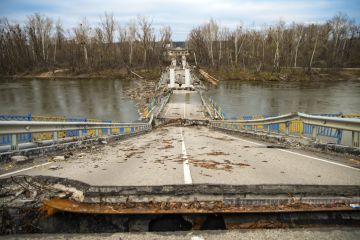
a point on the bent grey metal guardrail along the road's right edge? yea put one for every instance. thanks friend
(315, 122)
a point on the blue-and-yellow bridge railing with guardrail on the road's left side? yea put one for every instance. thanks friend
(56, 130)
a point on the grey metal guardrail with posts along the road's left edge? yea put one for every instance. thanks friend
(15, 129)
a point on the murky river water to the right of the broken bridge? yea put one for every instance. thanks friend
(239, 98)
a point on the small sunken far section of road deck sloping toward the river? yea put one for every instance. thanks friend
(184, 104)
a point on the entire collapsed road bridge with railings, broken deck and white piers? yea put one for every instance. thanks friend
(184, 166)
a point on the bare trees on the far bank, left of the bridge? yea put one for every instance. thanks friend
(43, 44)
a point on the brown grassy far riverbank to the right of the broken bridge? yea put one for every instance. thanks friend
(285, 74)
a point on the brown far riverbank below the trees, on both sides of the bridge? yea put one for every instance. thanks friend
(223, 74)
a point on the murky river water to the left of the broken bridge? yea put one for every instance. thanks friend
(95, 98)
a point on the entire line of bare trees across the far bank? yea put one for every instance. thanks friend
(42, 44)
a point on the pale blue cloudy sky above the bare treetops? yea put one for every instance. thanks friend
(182, 15)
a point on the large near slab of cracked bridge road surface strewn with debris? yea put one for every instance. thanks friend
(169, 155)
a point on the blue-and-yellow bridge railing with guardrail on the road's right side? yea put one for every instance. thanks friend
(301, 123)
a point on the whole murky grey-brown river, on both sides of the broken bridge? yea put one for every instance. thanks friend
(106, 99)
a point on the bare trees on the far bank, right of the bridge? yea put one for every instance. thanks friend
(332, 44)
